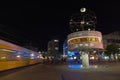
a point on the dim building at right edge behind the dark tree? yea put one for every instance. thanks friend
(111, 38)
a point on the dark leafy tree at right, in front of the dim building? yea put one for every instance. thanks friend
(112, 49)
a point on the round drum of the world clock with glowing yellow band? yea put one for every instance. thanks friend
(85, 40)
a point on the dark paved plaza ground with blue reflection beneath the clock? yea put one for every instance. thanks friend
(102, 71)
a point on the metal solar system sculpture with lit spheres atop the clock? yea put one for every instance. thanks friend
(84, 20)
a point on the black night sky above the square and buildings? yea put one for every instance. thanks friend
(38, 22)
